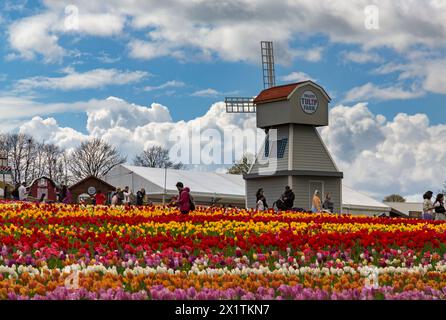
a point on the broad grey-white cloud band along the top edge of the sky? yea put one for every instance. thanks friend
(232, 30)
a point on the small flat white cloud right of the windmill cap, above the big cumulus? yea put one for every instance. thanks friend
(370, 91)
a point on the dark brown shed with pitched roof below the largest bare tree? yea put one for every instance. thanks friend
(86, 188)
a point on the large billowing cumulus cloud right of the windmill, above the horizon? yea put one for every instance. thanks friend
(381, 156)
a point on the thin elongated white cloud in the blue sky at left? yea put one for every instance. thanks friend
(97, 78)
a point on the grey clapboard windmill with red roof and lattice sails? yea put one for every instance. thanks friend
(293, 152)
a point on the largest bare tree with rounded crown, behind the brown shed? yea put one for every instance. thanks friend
(94, 157)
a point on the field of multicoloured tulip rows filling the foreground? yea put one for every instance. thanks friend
(54, 251)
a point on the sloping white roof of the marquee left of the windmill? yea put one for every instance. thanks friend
(198, 181)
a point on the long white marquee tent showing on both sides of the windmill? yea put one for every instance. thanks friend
(207, 187)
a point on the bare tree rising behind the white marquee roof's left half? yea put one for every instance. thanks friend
(156, 157)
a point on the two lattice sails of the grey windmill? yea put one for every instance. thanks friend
(246, 104)
